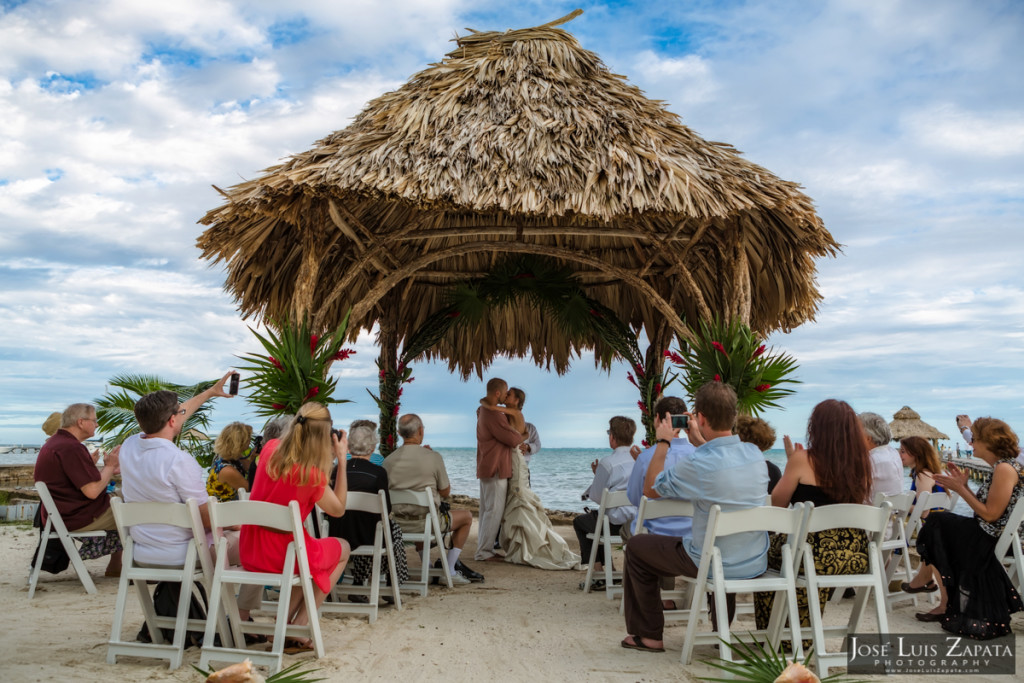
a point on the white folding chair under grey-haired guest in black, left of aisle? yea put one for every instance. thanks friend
(382, 548)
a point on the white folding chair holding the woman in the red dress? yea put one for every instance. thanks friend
(223, 601)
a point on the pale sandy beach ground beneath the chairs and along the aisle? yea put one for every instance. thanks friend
(523, 624)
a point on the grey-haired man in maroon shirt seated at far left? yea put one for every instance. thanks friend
(77, 486)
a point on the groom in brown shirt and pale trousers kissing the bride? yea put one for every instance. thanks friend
(495, 441)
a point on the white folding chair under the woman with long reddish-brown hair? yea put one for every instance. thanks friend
(874, 521)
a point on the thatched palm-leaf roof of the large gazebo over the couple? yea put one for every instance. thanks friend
(520, 144)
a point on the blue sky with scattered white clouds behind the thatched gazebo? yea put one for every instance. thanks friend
(903, 120)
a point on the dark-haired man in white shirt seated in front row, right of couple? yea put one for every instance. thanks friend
(612, 473)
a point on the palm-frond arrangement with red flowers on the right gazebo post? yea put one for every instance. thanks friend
(733, 354)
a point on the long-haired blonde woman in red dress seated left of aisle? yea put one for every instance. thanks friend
(296, 468)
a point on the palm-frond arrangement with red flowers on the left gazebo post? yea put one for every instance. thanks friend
(294, 370)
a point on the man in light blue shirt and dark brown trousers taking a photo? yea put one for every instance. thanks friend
(722, 472)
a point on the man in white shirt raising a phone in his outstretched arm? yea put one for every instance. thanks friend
(154, 469)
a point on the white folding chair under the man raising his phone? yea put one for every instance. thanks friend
(197, 571)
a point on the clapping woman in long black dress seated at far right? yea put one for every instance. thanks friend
(962, 549)
